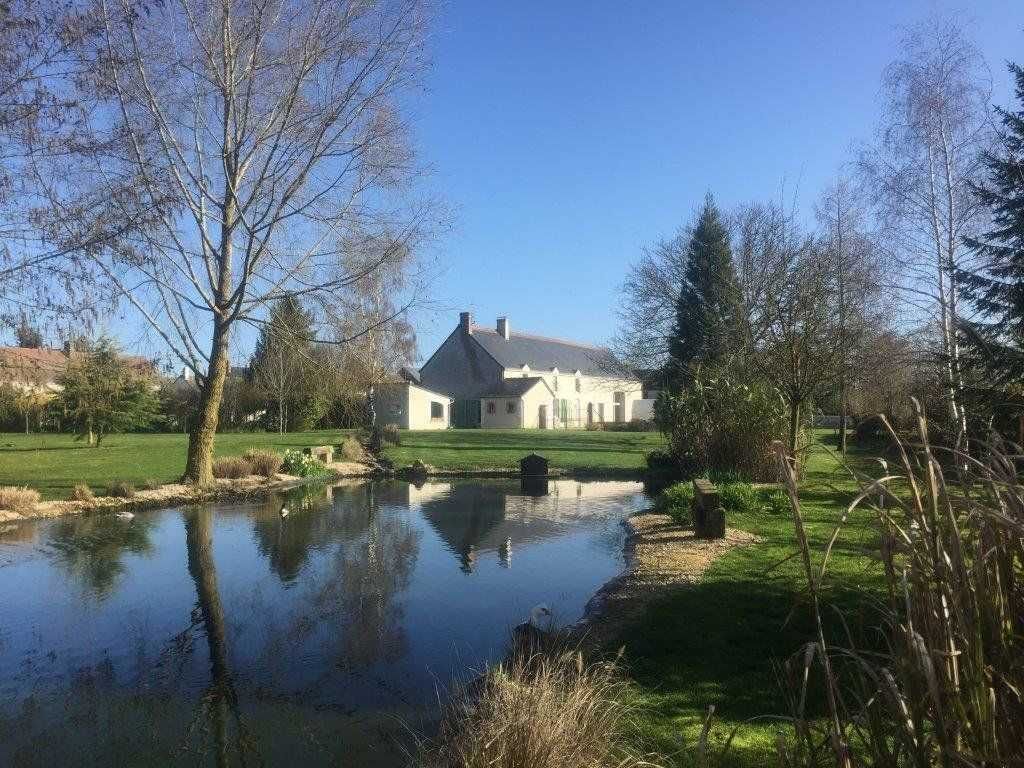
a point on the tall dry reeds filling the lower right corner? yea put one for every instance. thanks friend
(946, 688)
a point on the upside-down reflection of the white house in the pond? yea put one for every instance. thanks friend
(477, 521)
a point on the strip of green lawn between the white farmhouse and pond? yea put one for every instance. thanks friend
(502, 449)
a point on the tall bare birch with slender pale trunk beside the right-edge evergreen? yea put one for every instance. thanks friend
(935, 125)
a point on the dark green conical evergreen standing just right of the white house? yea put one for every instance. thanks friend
(708, 311)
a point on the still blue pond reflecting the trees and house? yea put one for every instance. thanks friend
(225, 635)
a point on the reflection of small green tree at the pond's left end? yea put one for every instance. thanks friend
(93, 548)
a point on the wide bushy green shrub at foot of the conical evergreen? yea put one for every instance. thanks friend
(720, 424)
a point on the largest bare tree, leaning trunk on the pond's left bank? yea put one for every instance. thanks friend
(260, 138)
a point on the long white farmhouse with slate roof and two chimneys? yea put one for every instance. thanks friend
(499, 378)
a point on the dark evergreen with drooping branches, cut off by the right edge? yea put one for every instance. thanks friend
(998, 289)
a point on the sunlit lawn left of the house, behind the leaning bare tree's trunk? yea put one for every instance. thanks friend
(55, 463)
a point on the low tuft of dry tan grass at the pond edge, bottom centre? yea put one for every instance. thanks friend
(539, 712)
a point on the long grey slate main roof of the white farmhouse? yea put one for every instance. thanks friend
(543, 355)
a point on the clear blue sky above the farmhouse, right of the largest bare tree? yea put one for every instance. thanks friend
(567, 136)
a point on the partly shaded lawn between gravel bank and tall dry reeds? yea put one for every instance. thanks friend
(722, 641)
